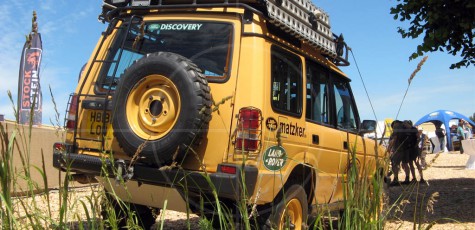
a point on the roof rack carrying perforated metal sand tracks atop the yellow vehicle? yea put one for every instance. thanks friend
(300, 18)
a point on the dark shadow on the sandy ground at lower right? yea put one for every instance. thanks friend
(455, 201)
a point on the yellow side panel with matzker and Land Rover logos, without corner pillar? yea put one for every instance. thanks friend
(283, 104)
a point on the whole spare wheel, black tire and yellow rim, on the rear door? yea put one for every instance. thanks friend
(162, 107)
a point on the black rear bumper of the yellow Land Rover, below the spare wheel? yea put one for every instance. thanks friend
(228, 186)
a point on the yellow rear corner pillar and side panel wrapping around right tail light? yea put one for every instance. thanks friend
(277, 91)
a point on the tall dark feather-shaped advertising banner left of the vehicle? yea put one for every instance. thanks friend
(29, 91)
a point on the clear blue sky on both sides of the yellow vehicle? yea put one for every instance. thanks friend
(70, 30)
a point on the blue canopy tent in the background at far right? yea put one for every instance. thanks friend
(440, 117)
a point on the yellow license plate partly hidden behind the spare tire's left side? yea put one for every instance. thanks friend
(95, 123)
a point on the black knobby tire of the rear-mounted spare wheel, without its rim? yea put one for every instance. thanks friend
(193, 120)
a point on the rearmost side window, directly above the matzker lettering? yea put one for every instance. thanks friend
(286, 75)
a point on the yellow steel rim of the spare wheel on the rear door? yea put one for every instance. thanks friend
(152, 107)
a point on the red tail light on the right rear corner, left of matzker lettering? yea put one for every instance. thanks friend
(248, 136)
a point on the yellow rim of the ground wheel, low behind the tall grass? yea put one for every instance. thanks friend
(292, 216)
